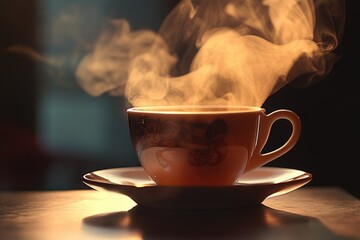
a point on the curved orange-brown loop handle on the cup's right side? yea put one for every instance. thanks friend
(266, 121)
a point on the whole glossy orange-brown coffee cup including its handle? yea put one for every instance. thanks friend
(205, 145)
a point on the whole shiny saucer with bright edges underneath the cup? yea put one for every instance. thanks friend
(252, 189)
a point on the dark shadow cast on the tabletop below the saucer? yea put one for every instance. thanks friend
(258, 222)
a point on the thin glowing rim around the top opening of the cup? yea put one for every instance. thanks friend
(191, 109)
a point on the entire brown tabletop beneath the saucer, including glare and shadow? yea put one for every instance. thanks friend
(306, 213)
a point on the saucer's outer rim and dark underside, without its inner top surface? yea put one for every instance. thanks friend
(200, 197)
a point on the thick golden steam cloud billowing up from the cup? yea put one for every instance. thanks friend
(210, 52)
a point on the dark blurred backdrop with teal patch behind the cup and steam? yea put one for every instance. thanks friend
(51, 132)
